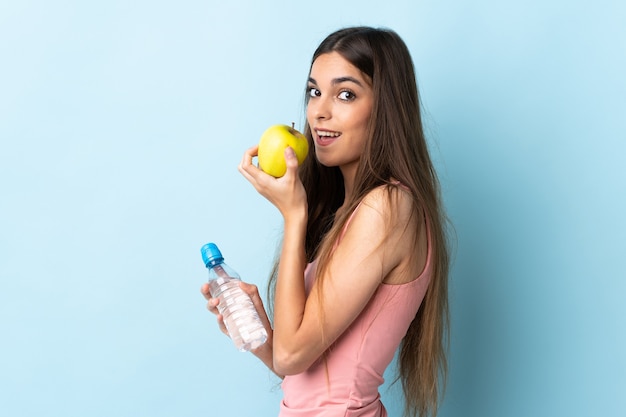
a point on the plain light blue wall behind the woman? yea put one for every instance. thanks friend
(121, 126)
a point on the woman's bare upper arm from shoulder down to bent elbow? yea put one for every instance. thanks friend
(366, 254)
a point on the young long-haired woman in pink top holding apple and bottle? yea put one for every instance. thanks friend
(363, 264)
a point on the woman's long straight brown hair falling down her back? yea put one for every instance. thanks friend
(396, 149)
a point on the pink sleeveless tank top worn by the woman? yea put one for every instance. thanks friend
(357, 361)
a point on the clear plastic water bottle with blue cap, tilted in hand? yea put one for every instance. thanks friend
(240, 317)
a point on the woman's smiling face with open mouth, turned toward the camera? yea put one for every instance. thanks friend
(340, 104)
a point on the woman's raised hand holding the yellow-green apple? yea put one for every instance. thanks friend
(286, 193)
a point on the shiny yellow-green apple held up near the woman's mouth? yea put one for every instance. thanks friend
(272, 147)
